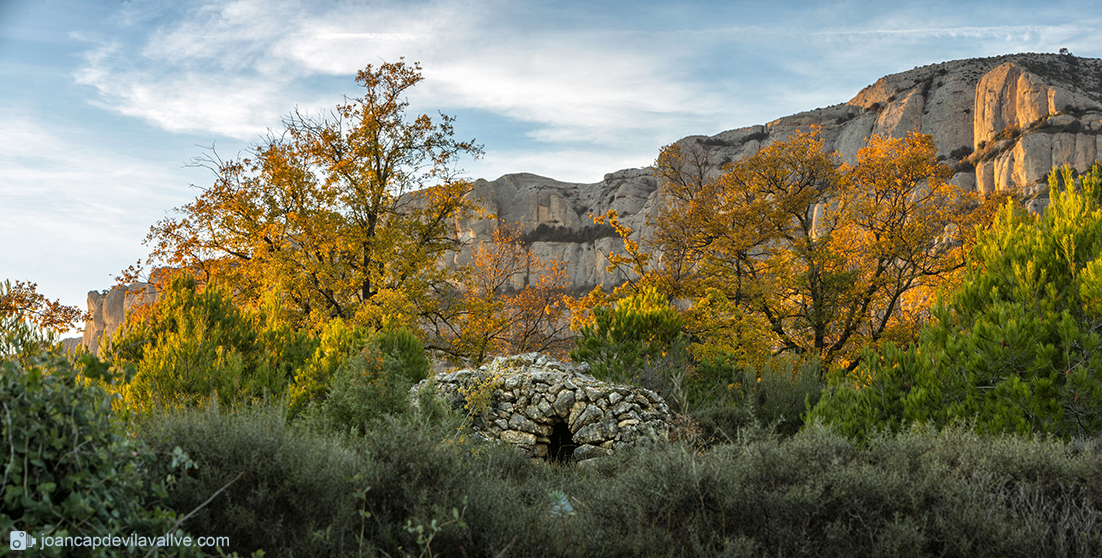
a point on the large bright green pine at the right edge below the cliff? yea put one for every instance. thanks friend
(1015, 349)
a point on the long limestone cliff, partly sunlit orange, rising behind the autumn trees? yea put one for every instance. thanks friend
(1002, 123)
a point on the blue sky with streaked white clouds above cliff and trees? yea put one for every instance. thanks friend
(105, 103)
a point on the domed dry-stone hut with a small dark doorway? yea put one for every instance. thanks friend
(556, 411)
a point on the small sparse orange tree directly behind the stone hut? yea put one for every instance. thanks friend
(495, 313)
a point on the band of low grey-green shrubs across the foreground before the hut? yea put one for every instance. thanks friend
(401, 491)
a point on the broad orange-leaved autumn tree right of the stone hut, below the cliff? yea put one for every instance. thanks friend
(807, 254)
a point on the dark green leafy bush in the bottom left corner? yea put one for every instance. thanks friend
(67, 470)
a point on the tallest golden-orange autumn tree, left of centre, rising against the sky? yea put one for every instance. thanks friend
(343, 216)
